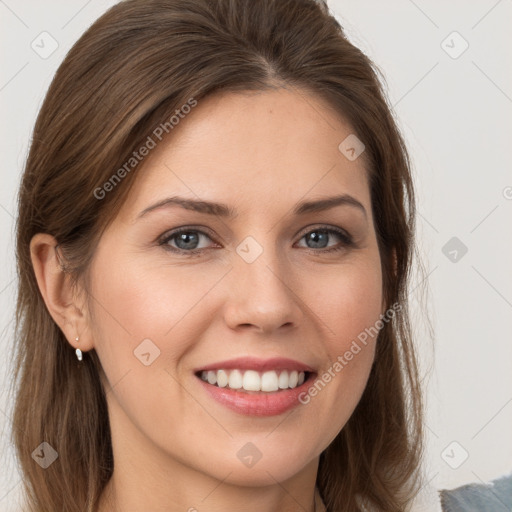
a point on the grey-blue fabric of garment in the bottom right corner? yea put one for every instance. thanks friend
(493, 497)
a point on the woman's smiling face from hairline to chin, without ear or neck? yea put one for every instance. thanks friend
(236, 293)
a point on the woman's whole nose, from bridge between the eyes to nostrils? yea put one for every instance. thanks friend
(261, 288)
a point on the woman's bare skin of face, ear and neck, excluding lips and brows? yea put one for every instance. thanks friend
(175, 448)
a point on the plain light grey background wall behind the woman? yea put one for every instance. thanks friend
(456, 115)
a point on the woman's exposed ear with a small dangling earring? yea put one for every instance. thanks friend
(60, 297)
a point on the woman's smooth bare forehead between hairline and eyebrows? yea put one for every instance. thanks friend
(279, 145)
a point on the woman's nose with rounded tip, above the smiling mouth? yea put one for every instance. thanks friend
(262, 295)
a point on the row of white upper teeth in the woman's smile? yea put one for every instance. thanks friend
(250, 380)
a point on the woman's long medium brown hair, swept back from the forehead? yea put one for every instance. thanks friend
(128, 73)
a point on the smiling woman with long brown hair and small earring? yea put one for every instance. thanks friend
(215, 234)
